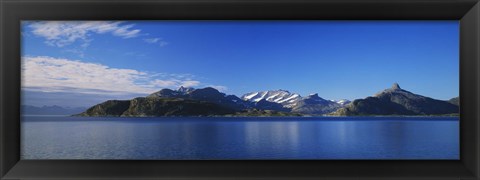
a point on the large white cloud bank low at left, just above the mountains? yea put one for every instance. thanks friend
(48, 74)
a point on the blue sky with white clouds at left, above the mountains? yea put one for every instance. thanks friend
(94, 61)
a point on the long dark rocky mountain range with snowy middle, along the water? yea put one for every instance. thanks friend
(211, 102)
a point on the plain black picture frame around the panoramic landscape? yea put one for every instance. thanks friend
(13, 11)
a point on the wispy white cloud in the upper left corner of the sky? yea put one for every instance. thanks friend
(62, 33)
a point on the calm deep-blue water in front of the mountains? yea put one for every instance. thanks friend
(240, 138)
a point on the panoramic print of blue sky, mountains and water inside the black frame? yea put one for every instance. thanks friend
(253, 90)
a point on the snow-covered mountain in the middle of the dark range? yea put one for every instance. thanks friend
(286, 98)
